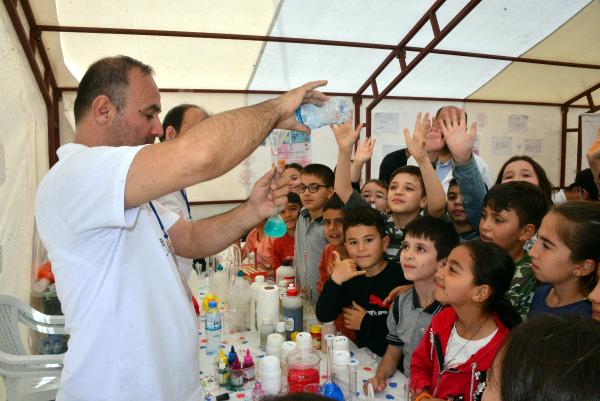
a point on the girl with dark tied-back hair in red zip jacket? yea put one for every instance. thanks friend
(451, 361)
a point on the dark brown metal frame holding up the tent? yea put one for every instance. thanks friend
(30, 35)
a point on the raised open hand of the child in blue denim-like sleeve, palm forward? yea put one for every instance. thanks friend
(459, 141)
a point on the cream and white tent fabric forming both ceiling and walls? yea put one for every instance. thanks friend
(560, 30)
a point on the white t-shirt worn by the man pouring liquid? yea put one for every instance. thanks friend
(132, 327)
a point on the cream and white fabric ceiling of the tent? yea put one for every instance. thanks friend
(562, 30)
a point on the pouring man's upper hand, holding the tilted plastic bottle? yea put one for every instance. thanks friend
(290, 101)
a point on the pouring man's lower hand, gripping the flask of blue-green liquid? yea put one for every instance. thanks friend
(268, 195)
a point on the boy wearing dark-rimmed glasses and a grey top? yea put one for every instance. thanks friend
(315, 188)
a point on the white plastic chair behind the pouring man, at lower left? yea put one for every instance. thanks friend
(27, 377)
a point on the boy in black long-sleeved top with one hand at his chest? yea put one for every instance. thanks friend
(358, 286)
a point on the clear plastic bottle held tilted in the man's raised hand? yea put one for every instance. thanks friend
(336, 111)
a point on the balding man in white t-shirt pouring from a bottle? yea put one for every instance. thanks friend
(131, 321)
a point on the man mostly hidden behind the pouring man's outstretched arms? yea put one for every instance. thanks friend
(176, 122)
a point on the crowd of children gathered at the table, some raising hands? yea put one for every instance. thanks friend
(462, 260)
